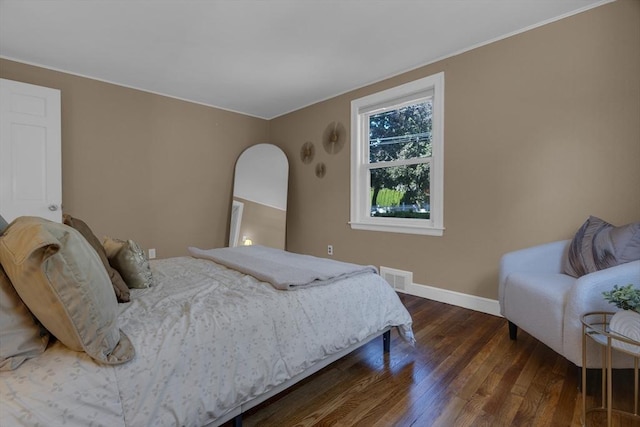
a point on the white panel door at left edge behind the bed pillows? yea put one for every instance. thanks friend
(30, 151)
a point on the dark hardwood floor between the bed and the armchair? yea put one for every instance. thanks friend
(464, 371)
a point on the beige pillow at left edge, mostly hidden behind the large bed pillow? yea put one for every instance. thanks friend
(21, 336)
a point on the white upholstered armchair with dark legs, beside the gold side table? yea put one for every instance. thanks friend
(537, 297)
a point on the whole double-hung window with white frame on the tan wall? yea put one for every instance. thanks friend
(397, 159)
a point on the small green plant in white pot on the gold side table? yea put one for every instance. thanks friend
(625, 322)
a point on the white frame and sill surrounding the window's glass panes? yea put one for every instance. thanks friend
(361, 108)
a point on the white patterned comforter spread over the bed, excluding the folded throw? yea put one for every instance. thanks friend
(207, 339)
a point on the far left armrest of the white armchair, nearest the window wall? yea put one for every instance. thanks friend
(546, 258)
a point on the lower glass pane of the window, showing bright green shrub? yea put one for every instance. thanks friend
(400, 192)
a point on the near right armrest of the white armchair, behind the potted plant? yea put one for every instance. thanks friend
(586, 296)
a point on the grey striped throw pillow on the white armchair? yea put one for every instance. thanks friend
(598, 245)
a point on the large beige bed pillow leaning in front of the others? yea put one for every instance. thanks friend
(63, 282)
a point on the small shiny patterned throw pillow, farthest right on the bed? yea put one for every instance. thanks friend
(131, 262)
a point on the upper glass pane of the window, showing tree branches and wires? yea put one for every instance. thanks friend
(403, 133)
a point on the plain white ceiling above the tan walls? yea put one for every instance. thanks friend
(263, 58)
